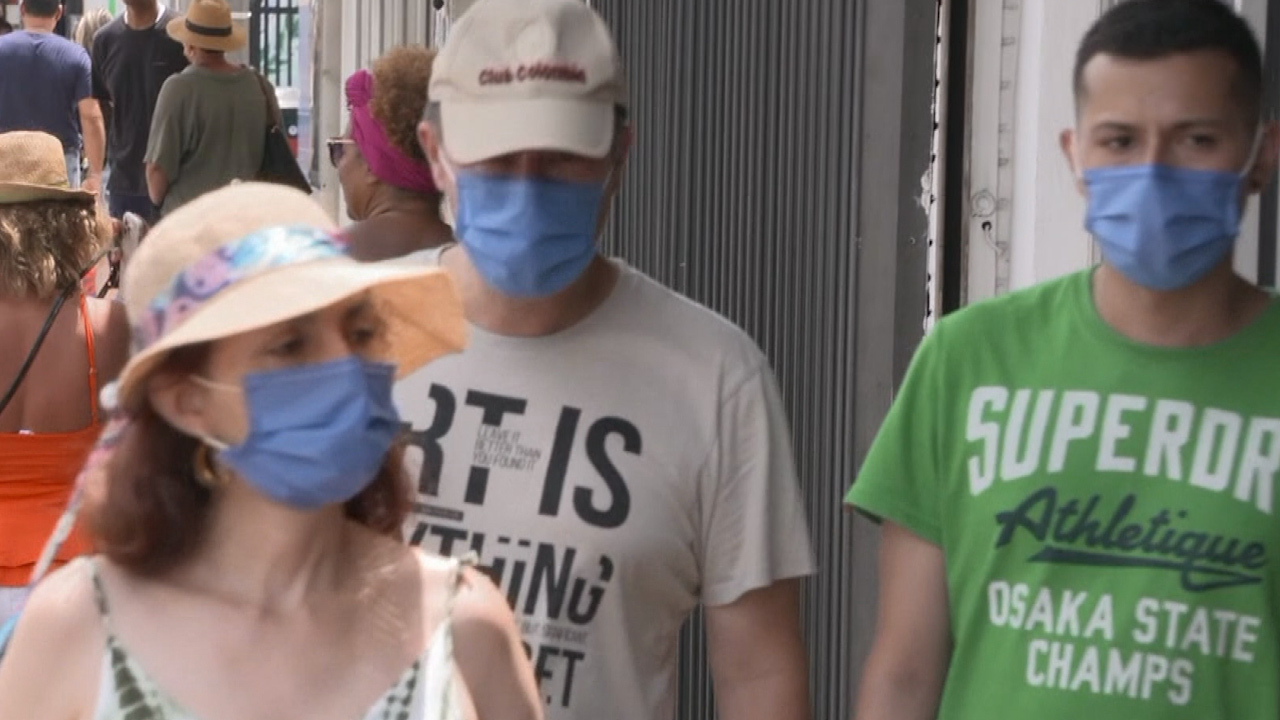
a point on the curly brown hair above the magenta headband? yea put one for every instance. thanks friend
(400, 94)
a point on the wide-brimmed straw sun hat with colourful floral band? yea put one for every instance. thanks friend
(252, 256)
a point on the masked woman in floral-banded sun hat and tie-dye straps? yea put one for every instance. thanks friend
(249, 499)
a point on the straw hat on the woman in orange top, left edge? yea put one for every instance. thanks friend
(34, 170)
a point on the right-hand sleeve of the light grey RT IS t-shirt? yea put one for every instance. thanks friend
(755, 527)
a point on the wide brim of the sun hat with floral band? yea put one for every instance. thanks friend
(420, 306)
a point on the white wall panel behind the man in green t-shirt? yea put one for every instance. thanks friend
(1044, 234)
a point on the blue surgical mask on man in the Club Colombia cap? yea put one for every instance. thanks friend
(528, 236)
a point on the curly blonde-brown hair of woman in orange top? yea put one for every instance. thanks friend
(47, 245)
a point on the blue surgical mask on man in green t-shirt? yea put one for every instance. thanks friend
(1165, 227)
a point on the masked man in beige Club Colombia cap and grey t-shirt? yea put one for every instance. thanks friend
(616, 454)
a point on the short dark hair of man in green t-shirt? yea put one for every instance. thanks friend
(1149, 30)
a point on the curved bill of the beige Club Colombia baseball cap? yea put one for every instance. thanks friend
(477, 131)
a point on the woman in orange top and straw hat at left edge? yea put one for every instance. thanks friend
(49, 235)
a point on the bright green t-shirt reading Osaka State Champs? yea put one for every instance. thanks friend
(1107, 509)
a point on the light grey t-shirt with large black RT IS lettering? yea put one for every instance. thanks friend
(611, 477)
